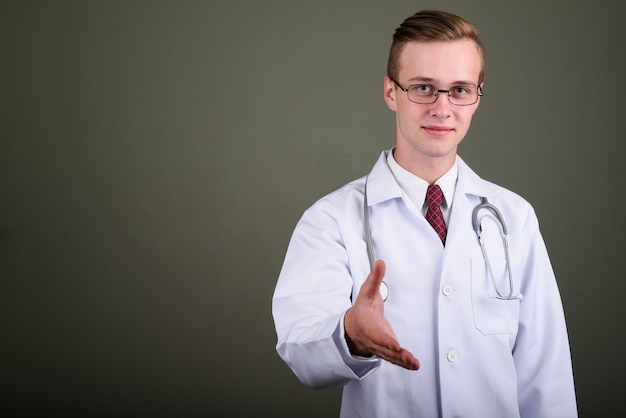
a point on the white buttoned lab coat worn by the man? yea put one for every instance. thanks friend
(480, 356)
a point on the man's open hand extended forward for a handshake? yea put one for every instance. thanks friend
(367, 330)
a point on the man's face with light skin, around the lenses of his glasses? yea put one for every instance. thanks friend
(432, 132)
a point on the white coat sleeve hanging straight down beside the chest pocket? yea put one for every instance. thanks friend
(541, 352)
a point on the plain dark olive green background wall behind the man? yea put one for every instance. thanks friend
(155, 157)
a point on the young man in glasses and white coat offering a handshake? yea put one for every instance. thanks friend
(486, 322)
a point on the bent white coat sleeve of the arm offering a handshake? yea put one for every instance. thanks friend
(312, 294)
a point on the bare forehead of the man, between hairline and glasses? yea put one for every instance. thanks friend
(441, 61)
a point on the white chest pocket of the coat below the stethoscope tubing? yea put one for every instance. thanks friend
(492, 315)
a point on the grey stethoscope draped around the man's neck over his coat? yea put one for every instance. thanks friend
(476, 223)
